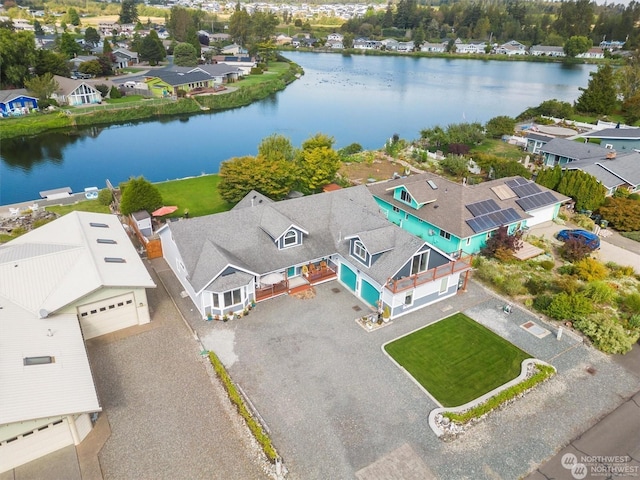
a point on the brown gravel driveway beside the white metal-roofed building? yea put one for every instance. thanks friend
(169, 418)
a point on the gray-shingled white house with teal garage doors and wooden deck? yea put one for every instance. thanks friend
(261, 249)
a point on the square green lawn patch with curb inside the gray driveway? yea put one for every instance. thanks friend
(457, 359)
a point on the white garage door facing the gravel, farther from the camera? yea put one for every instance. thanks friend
(108, 315)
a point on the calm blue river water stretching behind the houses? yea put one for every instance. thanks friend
(352, 98)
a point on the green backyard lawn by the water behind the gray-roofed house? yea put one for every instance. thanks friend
(199, 195)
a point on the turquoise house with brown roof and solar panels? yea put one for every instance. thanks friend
(458, 218)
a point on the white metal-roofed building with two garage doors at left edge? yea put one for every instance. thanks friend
(72, 279)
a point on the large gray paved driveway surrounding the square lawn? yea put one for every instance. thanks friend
(337, 407)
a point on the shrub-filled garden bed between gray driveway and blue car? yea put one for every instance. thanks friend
(600, 300)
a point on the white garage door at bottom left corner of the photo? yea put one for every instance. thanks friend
(27, 447)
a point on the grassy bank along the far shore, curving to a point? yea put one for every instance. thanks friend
(251, 89)
